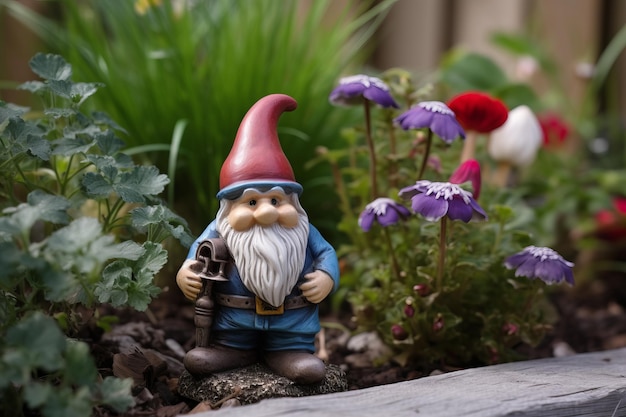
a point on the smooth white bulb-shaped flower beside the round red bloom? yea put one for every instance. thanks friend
(518, 139)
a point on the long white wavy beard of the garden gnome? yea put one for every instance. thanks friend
(269, 259)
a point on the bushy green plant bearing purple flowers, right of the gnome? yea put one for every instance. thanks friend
(436, 292)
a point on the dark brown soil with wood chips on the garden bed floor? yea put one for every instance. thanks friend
(148, 346)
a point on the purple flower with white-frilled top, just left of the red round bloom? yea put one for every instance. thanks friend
(434, 115)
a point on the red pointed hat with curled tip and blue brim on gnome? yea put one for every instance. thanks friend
(256, 158)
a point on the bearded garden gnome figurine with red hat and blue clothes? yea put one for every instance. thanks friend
(280, 266)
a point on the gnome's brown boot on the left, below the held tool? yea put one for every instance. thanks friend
(205, 361)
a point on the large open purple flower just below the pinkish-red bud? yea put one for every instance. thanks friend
(433, 200)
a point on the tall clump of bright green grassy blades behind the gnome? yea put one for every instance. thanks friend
(201, 65)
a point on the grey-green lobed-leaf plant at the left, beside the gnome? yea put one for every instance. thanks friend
(81, 224)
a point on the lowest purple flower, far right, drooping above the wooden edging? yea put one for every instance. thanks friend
(543, 263)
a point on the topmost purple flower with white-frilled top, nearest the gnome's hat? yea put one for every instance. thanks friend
(352, 89)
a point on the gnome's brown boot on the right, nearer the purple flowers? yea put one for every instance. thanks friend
(300, 367)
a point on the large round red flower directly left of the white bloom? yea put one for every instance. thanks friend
(478, 111)
